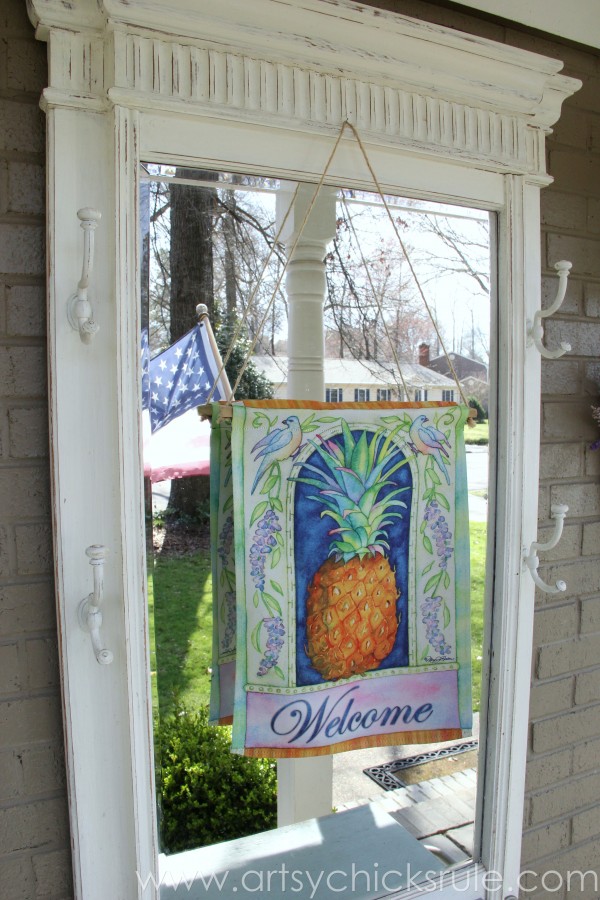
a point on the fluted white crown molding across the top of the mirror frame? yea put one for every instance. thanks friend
(400, 81)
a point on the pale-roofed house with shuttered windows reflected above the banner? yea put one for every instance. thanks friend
(364, 380)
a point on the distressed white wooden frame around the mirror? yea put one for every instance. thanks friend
(263, 87)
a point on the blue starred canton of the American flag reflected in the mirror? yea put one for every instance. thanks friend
(180, 378)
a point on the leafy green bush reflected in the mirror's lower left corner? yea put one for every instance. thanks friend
(208, 793)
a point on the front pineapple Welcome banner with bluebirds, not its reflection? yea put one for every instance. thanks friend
(352, 574)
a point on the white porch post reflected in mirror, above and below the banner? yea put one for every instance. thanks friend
(305, 786)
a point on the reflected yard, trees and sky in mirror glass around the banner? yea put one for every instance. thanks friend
(216, 239)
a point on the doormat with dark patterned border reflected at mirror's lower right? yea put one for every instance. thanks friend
(424, 766)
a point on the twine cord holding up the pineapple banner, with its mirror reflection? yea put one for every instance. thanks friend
(472, 412)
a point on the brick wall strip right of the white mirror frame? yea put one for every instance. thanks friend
(562, 824)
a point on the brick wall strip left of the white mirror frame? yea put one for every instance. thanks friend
(34, 835)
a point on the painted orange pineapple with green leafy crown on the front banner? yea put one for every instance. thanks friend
(351, 613)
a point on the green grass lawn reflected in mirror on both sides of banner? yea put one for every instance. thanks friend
(181, 620)
